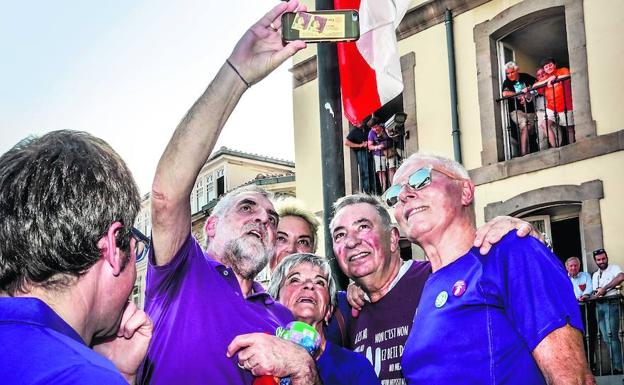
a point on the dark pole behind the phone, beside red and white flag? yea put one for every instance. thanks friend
(332, 156)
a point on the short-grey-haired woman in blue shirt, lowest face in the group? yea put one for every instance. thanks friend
(304, 284)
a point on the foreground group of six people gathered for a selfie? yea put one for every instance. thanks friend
(67, 265)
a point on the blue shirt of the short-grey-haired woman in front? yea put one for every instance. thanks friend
(339, 366)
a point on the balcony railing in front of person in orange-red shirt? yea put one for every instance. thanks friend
(525, 117)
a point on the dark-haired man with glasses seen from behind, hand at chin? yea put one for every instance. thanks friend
(67, 264)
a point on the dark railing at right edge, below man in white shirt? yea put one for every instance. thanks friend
(603, 321)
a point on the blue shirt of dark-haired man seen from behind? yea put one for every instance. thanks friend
(39, 347)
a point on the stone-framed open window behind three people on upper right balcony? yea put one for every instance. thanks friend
(527, 32)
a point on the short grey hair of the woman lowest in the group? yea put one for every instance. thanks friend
(283, 268)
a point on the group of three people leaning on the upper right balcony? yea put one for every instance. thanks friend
(543, 101)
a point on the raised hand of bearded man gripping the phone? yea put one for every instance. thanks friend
(261, 50)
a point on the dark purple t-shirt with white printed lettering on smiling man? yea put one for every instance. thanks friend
(381, 329)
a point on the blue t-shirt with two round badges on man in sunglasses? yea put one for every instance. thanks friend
(481, 317)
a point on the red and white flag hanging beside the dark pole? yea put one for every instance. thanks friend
(370, 69)
